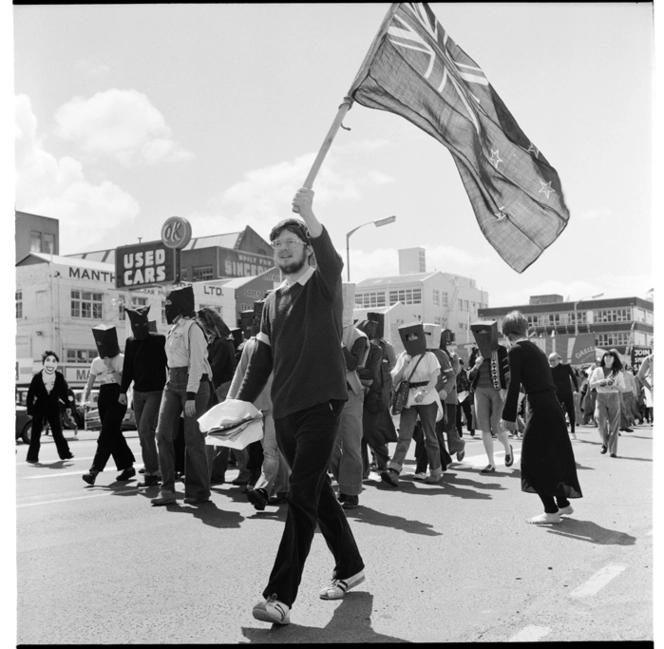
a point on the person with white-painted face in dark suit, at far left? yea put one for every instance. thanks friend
(48, 389)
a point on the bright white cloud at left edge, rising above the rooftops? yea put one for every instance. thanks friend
(57, 187)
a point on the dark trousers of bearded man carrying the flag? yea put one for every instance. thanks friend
(306, 439)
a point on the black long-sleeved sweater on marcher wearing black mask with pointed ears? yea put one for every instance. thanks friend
(145, 364)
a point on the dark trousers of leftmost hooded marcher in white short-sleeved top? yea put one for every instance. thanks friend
(111, 441)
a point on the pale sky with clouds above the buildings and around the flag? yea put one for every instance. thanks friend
(127, 115)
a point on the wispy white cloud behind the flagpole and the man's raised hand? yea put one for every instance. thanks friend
(263, 196)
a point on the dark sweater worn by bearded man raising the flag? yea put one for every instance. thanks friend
(300, 339)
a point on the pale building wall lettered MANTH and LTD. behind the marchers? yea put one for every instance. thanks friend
(60, 299)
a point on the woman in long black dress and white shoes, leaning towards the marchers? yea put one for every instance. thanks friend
(548, 467)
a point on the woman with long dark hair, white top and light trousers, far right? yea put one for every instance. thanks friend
(609, 382)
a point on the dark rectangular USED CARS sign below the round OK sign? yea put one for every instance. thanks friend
(144, 264)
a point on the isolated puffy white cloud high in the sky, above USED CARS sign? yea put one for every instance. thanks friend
(119, 123)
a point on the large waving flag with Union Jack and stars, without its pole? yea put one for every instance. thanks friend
(417, 71)
